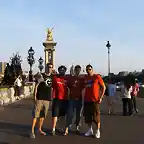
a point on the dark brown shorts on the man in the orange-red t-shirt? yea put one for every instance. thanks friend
(92, 112)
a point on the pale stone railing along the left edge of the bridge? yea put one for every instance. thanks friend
(7, 95)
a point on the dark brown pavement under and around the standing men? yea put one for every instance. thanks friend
(15, 122)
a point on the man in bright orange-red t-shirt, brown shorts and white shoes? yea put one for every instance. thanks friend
(93, 94)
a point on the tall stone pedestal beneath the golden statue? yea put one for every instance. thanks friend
(49, 53)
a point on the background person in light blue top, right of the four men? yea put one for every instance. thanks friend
(111, 97)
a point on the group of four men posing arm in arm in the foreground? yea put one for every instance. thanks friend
(68, 93)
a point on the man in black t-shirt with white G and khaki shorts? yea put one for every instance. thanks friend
(42, 98)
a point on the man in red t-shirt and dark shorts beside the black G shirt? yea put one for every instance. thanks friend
(60, 96)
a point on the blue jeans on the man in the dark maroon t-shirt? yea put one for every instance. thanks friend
(74, 105)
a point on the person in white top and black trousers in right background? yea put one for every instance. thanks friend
(126, 99)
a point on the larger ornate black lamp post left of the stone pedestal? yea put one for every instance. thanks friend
(31, 61)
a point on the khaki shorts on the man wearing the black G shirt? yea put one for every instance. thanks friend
(41, 108)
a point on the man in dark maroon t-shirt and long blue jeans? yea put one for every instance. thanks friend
(75, 99)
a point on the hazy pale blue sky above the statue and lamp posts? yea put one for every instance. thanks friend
(82, 28)
